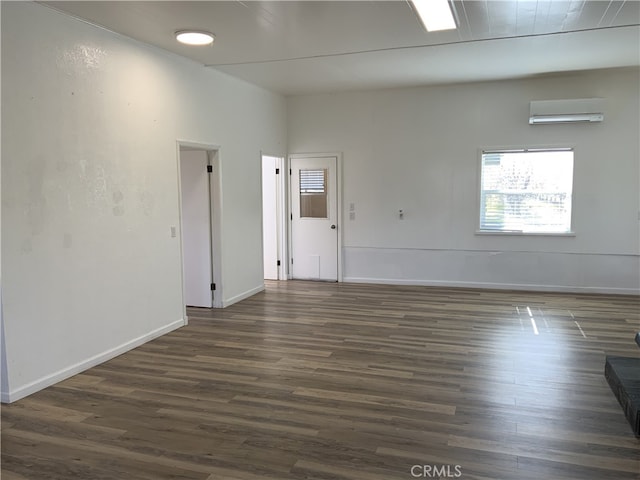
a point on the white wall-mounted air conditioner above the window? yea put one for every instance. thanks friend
(577, 110)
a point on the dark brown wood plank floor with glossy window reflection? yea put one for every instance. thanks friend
(341, 381)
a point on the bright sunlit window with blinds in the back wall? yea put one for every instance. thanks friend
(526, 191)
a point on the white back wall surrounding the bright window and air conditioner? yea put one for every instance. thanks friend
(417, 150)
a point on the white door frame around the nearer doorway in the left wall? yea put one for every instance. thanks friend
(215, 212)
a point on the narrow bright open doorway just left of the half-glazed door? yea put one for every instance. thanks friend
(273, 218)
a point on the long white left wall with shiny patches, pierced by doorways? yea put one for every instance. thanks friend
(90, 122)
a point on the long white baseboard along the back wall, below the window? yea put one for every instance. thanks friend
(496, 286)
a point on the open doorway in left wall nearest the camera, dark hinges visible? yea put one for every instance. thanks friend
(199, 187)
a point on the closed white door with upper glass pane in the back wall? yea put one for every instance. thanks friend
(314, 224)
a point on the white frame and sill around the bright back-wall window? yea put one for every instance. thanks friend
(478, 213)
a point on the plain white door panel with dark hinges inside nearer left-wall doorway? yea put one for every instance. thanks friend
(196, 227)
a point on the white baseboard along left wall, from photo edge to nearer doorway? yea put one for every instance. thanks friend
(47, 381)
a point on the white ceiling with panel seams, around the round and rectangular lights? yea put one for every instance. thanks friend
(298, 47)
